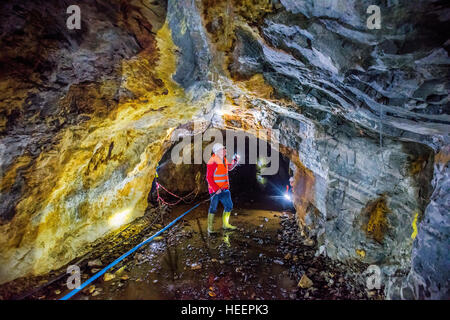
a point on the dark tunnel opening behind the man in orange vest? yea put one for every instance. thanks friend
(250, 185)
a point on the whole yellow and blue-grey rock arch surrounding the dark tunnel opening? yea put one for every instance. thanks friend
(86, 115)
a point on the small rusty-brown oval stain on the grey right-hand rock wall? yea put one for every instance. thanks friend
(377, 224)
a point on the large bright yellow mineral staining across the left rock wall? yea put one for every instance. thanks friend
(98, 171)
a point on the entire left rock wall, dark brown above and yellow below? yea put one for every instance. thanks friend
(85, 116)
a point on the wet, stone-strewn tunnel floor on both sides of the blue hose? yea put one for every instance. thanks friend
(266, 258)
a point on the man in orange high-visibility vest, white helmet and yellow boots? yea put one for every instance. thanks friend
(219, 183)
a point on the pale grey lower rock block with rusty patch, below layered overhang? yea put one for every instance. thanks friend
(348, 170)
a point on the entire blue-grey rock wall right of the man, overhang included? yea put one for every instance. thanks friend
(354, 97)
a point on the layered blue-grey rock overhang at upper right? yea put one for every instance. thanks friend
(325, 59)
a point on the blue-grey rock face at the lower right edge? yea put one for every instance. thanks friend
(429, 275)
